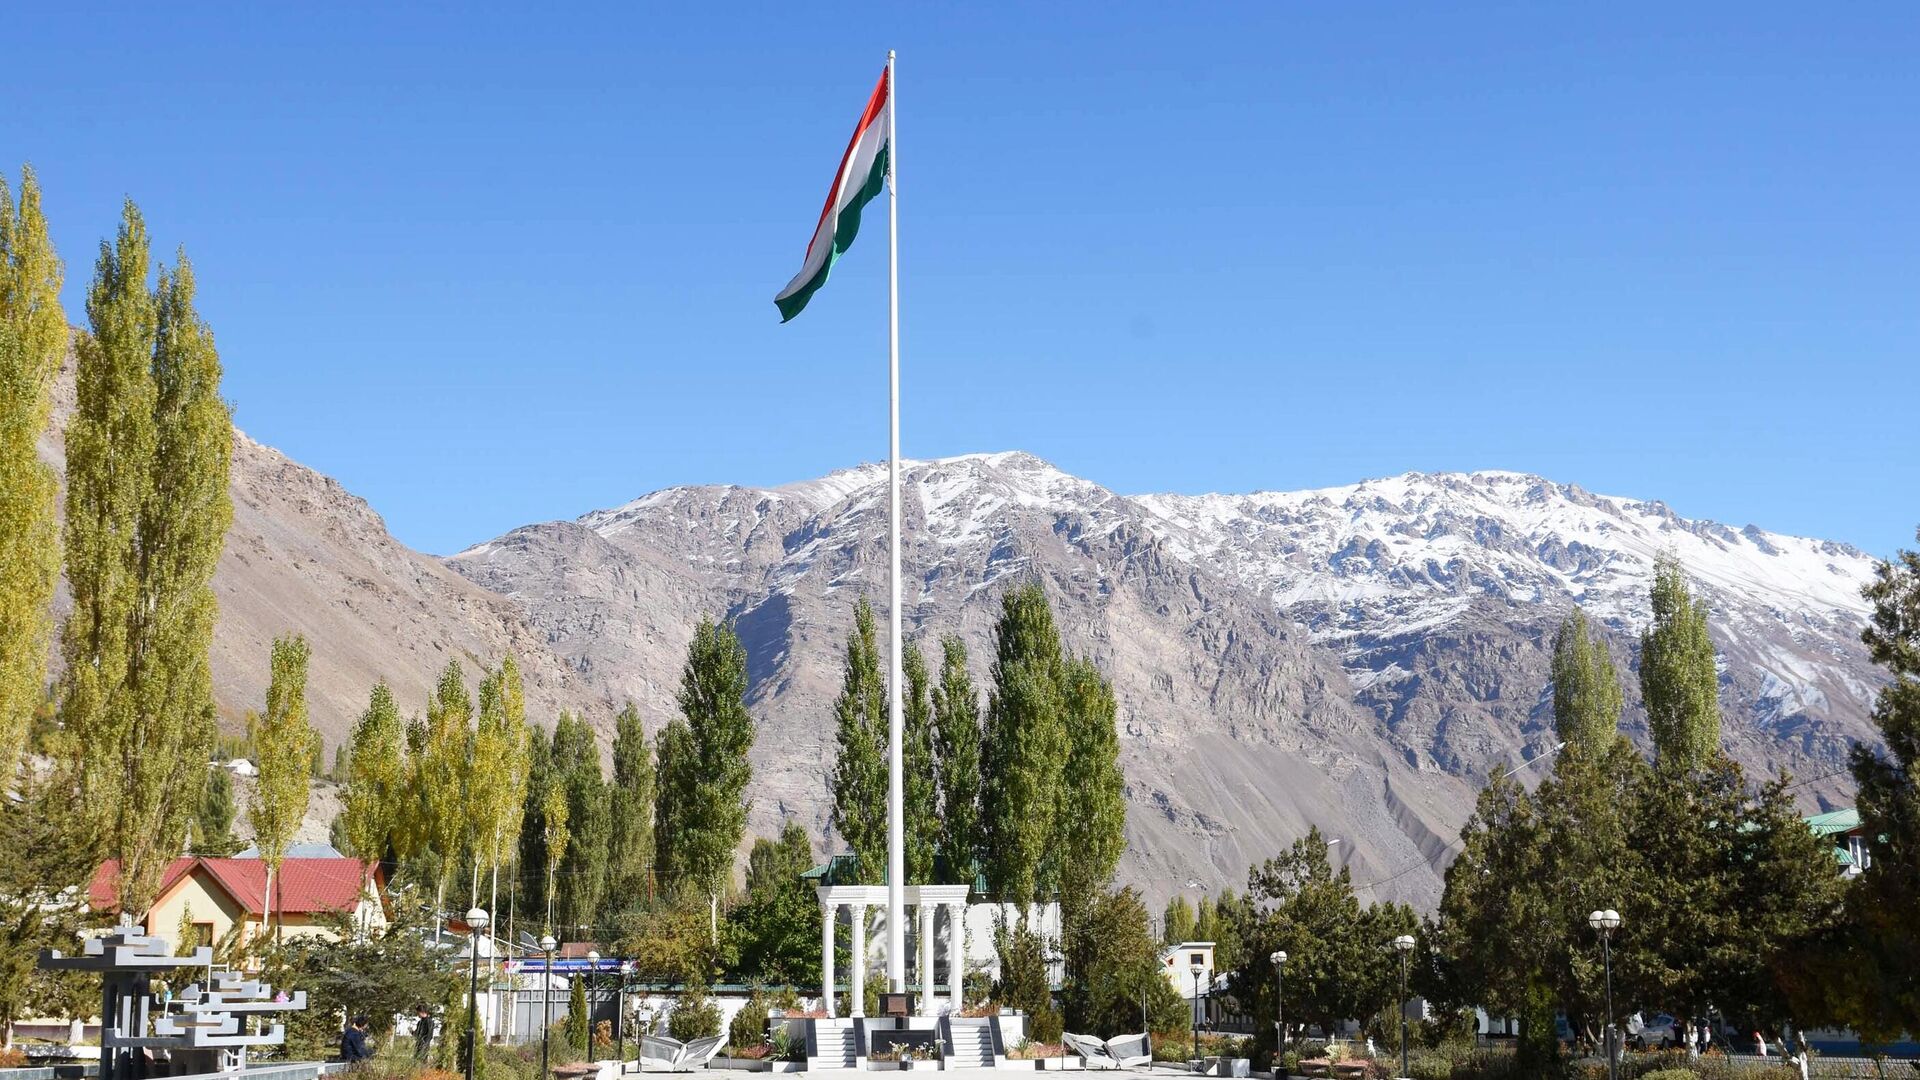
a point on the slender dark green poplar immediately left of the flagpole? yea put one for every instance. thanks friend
(859, 779)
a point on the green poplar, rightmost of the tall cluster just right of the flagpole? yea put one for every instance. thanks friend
(1093, 823)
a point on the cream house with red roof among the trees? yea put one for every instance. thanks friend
(220, 895)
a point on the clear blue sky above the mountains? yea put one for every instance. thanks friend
(498, 266)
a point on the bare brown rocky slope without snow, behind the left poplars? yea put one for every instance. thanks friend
(306, 556)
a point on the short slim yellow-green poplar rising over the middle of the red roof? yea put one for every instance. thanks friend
(283, 741)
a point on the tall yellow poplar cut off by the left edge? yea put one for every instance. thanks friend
(34, 341)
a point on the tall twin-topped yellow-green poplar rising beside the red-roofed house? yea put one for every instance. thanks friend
(149, 454)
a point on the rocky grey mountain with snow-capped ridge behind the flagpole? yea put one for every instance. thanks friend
(1355, 658)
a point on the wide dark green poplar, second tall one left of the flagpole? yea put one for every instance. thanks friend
(704, 766)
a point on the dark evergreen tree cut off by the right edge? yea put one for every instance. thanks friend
(1883, 966)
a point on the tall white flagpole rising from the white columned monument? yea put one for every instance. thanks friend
(896, 804)
